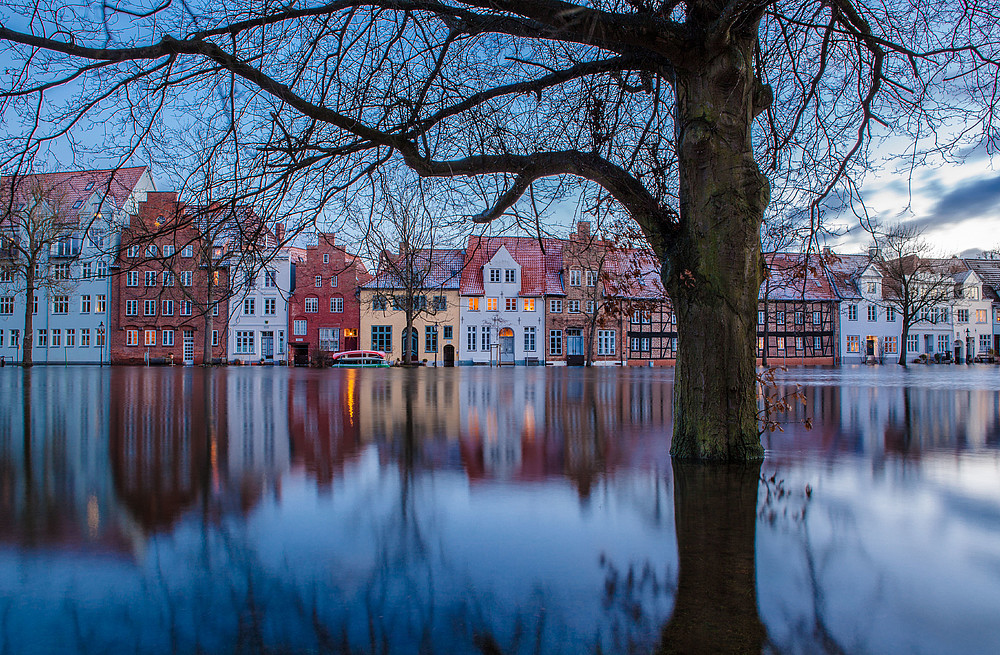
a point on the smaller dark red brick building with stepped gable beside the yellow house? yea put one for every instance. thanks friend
(324, 312)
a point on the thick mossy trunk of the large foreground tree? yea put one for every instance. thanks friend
(714, 271)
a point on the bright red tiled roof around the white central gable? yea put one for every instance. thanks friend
(540, 261)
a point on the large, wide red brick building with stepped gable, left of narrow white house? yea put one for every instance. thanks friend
(167, 280)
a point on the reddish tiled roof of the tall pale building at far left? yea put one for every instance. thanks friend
(76, 187)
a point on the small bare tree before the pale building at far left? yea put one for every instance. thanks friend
(34, 223)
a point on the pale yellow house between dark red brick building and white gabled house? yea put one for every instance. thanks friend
(432, 290)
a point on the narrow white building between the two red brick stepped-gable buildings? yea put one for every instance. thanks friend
(258, 312)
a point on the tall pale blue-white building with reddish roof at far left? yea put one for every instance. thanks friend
(72, 317)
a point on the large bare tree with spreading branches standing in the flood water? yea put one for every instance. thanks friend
(687, 116)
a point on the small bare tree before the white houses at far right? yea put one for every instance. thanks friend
(916, 285)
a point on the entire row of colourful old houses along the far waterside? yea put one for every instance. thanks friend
(141, 276)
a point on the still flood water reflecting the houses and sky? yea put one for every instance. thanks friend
(252, 510)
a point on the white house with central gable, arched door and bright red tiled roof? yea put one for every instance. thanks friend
(504, 285)
